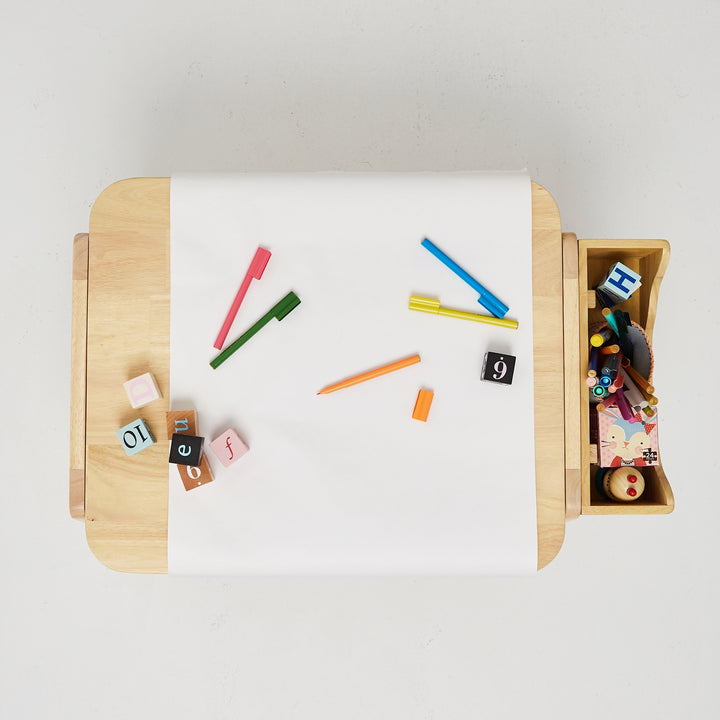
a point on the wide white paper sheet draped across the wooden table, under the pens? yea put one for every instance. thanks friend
(348, 482)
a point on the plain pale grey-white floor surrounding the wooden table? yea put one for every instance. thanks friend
(614, 108)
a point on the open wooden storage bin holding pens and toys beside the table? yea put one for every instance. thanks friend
(649, 258)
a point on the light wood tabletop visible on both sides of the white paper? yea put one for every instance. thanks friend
(121, 327)
